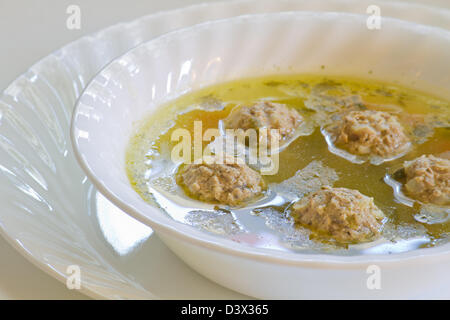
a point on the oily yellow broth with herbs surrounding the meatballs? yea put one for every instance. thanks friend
(307, 163)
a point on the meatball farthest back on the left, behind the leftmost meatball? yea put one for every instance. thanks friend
(265, 115)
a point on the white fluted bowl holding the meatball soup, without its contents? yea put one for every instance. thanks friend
(136, 84)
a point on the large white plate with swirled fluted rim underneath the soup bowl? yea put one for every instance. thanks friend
(49, 209)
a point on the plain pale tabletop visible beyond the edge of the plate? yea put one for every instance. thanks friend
(30, 30)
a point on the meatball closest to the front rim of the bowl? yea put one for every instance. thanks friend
(343, 214)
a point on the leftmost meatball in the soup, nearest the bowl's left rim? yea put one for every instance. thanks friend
(226, 182)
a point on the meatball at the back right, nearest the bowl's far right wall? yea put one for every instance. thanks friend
(370, 133)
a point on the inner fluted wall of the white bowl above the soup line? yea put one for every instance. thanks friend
(136, 84)
